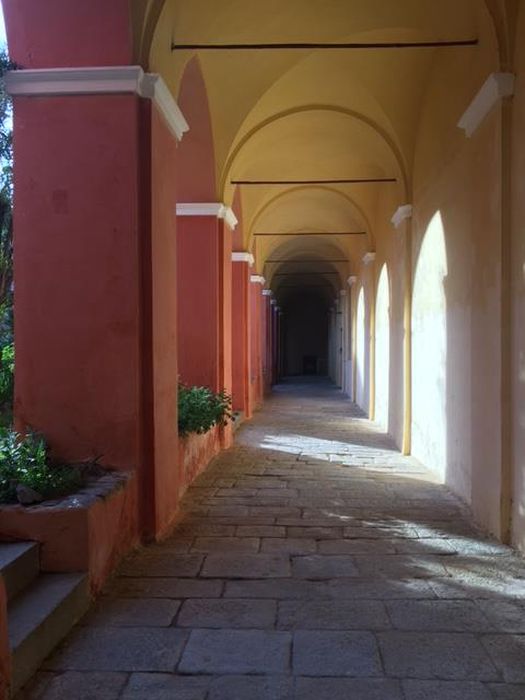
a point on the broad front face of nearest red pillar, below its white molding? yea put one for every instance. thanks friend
(76, 224)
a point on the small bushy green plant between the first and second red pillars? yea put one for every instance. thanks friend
(201, 408)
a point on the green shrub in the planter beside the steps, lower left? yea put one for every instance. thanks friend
(24, 462)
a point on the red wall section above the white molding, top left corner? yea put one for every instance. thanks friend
(58, 33)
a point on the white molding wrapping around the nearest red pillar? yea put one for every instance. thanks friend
(99, 81)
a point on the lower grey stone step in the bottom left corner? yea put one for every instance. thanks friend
(40, 617)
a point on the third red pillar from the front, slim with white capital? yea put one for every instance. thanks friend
(241, 338)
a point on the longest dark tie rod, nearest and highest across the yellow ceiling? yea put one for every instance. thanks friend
(323, 46)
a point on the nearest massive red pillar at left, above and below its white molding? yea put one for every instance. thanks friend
(94, 248)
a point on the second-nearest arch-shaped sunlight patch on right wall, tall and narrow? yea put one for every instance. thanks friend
(382, 349)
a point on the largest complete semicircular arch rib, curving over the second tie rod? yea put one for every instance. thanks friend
(312, 108)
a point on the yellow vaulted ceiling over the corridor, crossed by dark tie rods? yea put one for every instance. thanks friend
(309, 114)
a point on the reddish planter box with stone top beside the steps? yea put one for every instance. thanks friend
(88, 531)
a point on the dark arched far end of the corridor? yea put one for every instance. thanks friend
(305, 338)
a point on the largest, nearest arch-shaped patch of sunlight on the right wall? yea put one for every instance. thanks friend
(429, 350)
